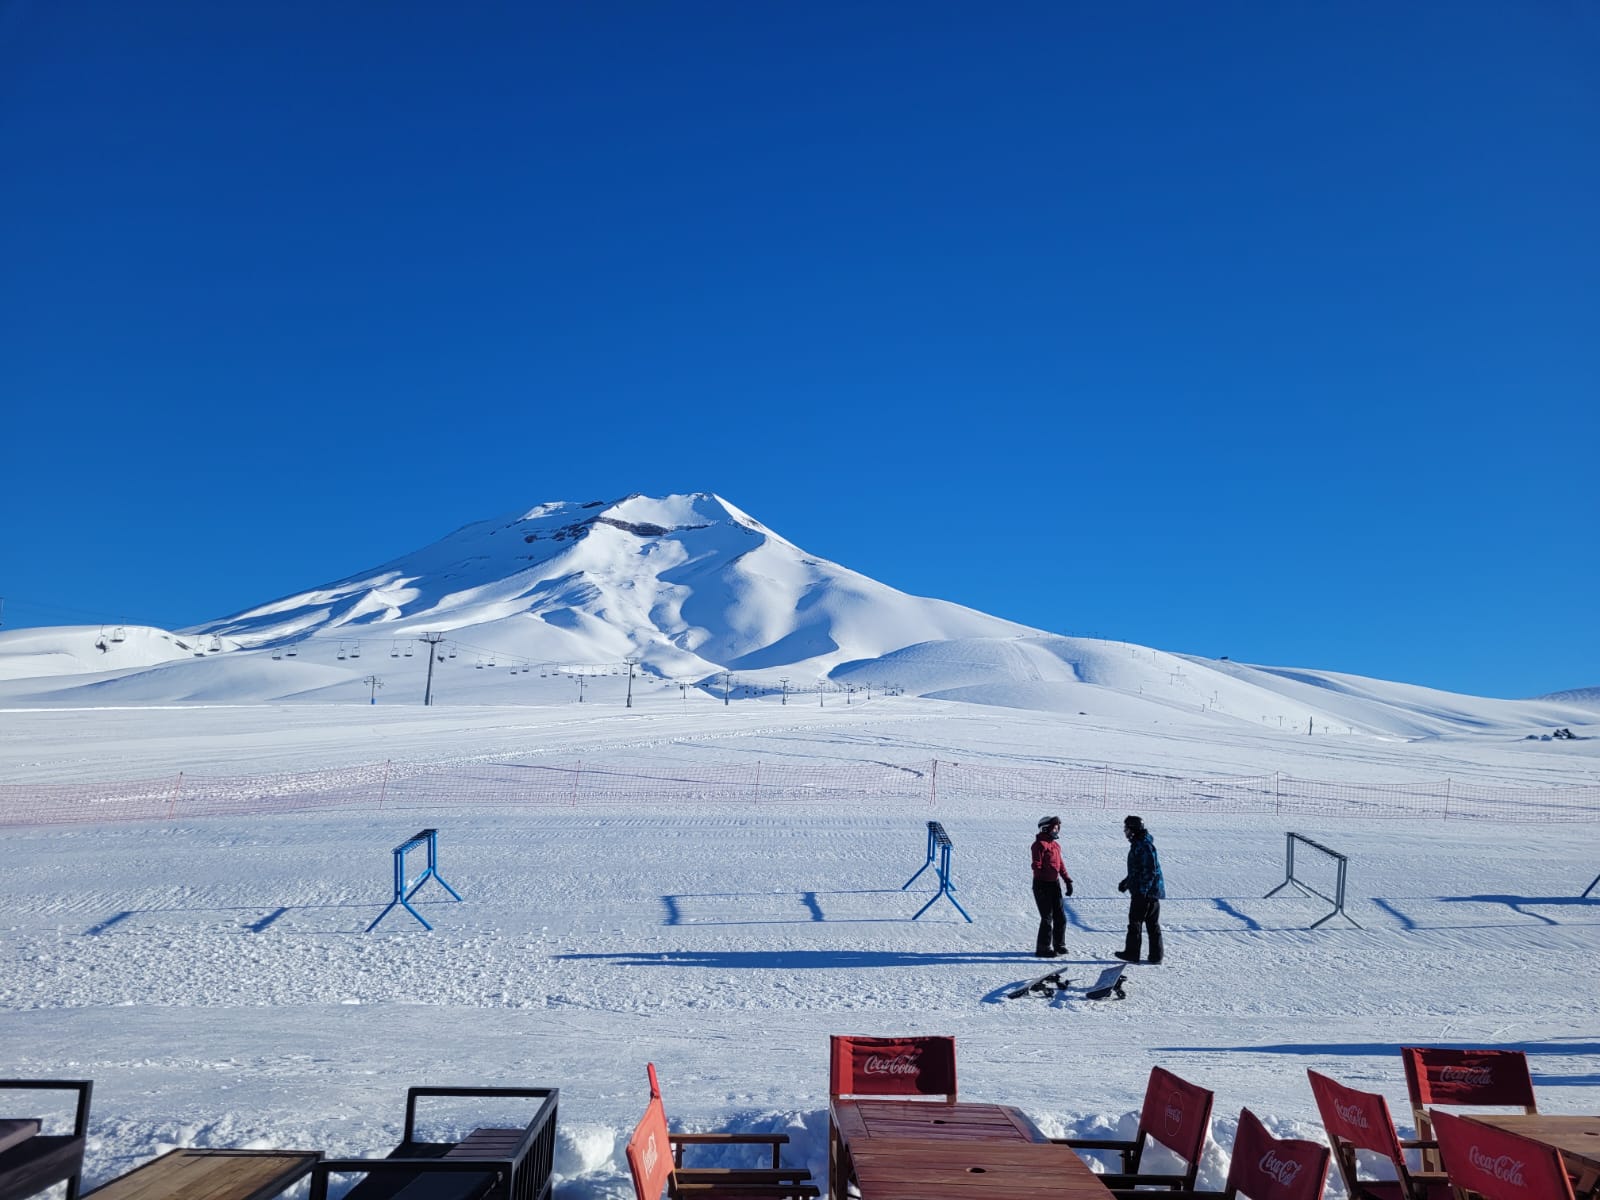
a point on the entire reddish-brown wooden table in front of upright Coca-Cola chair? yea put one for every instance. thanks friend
(926, 1151)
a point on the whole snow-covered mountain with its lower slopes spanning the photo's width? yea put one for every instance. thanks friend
(551, 606)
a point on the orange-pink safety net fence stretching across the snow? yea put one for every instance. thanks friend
(922, 786)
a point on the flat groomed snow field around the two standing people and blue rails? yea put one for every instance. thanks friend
(214, 980)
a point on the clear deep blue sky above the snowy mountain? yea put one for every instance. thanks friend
(1255, 330)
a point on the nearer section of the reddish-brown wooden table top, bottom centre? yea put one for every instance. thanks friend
(911, 1169)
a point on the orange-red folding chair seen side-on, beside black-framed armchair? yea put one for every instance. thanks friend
(655, 1159)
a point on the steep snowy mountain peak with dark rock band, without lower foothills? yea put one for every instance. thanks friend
(687, 585)
